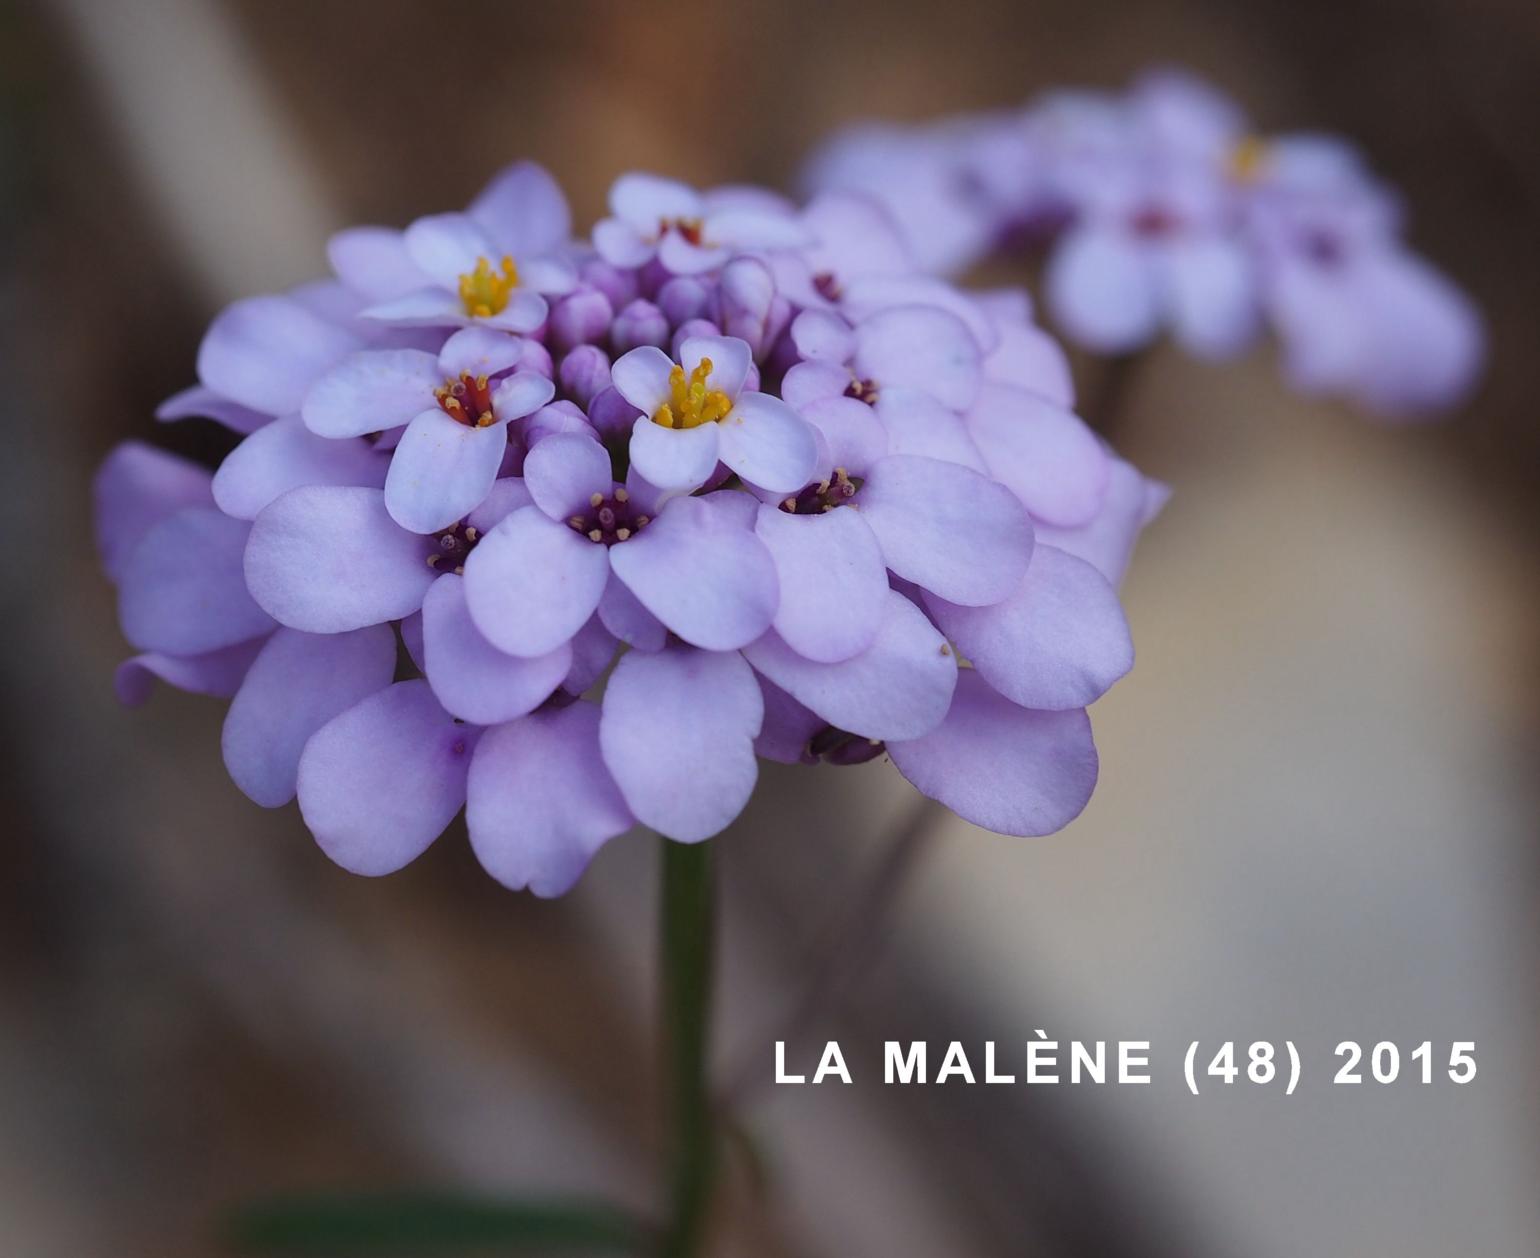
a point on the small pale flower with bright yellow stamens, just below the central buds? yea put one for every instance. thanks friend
(698, 412)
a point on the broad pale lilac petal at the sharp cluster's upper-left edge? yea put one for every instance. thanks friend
(267, 352)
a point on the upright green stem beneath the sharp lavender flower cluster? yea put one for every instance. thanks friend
(688, 929)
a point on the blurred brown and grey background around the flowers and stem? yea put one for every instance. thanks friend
(1319, 806)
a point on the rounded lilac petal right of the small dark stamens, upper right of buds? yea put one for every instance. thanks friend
(923, 347)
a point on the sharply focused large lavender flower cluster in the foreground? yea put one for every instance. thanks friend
(569, 534)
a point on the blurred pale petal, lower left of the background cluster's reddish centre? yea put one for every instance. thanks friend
(1102, 290)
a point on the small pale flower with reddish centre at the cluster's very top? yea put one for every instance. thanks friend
(688, 232)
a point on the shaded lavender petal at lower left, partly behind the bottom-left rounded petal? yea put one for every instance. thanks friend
(298, 684)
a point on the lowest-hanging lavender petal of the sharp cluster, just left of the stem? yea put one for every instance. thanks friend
(541, 801)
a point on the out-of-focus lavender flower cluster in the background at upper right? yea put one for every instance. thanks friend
(1162, 212)
